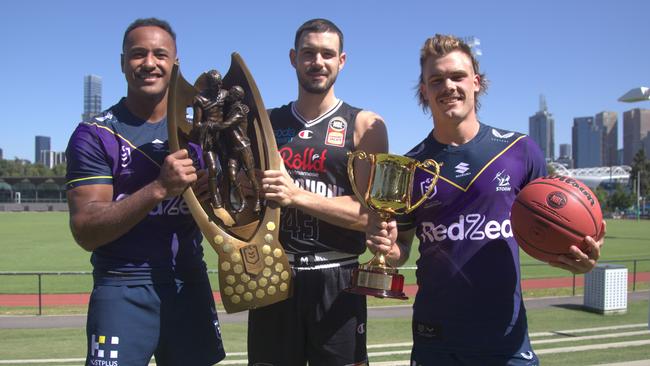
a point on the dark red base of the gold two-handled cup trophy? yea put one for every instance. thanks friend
(382, 283)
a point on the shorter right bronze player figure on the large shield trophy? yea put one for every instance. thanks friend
(239, 152)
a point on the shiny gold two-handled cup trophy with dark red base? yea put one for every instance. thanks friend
(389, 193)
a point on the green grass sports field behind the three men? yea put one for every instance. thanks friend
(35, 242)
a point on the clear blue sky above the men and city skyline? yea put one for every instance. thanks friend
(581, 54)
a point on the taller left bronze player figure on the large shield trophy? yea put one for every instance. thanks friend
(207, 120)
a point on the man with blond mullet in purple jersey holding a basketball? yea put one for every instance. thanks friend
(469, 308)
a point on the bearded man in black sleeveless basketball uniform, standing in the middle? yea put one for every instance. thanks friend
(322, 222)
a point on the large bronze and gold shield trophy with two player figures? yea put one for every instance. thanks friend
(230, 135)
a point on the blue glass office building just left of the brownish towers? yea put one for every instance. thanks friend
(587, 141)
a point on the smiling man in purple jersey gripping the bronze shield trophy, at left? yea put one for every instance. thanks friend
(151, 293)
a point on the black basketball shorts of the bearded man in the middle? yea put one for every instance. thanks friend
(320, 324)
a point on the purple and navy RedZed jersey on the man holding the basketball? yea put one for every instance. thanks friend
(469, 296)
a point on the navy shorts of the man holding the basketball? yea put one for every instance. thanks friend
(421, 355)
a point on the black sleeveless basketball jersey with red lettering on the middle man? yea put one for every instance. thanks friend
(315, 155)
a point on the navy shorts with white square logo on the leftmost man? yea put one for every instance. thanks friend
(176, 323)
